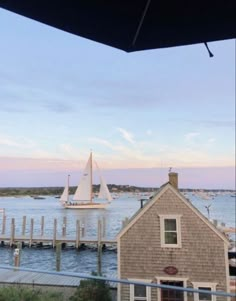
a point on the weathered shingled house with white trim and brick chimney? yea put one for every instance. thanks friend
(169, 241)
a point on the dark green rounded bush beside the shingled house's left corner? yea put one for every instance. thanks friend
(92, 290)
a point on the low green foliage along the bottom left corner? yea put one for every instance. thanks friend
(26, 294)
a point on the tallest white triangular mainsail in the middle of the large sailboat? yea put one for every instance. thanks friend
(84, 189)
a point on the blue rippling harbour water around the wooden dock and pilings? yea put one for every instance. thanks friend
(85, 261)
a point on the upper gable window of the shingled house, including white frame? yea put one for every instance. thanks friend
(170, 231)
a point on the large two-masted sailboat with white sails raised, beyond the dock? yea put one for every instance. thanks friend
(83, 198)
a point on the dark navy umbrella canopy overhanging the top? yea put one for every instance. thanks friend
(133, 25)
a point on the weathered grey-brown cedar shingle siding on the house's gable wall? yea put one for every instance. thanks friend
(201, 258)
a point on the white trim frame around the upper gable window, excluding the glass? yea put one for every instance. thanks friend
(178, 230)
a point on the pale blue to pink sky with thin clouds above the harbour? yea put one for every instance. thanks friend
(140, 113)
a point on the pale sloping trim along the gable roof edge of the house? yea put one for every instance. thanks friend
(155, 199)
